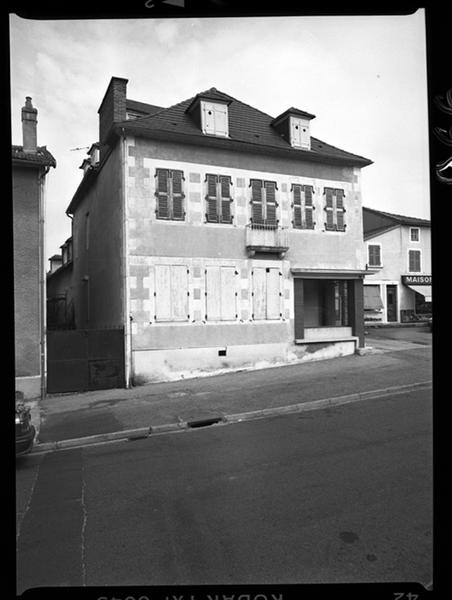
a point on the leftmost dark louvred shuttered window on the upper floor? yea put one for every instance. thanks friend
(169, 194)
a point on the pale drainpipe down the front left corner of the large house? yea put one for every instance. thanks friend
(127, 317)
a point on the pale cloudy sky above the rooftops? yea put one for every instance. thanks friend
(364, 77)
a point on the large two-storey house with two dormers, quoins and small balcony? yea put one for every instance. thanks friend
(217, 236)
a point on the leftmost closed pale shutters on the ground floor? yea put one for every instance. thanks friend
(171, 293)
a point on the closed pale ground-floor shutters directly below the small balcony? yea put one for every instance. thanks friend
(266, 293)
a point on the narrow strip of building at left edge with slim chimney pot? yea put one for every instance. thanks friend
(30, 165)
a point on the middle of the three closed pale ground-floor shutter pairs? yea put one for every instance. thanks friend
(221, 293)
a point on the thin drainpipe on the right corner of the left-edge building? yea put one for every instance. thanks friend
(42, 283)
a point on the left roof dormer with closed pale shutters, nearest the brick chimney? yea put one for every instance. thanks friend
(210, 112)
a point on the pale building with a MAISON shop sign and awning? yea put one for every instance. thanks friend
(399, 254)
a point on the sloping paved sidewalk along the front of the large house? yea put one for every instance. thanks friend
(111, 414)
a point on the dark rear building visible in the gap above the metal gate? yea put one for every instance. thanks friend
(60, 306)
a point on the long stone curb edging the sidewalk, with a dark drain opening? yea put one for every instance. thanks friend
(145, 432)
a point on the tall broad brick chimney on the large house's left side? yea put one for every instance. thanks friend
(111, 110)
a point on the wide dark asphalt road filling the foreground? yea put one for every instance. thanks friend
(336, 495)
